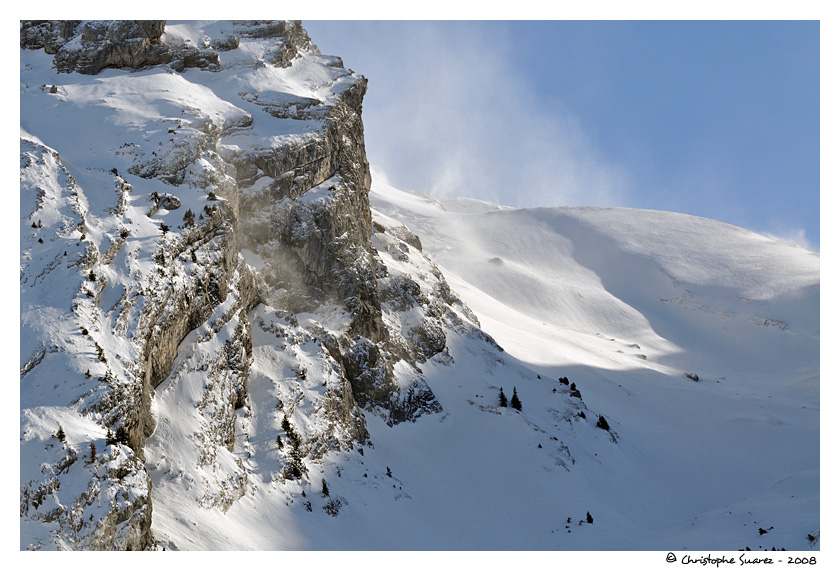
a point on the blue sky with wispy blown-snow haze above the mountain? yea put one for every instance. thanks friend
(718, 119)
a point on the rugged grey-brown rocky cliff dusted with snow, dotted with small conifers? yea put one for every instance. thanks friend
(209, 203)
